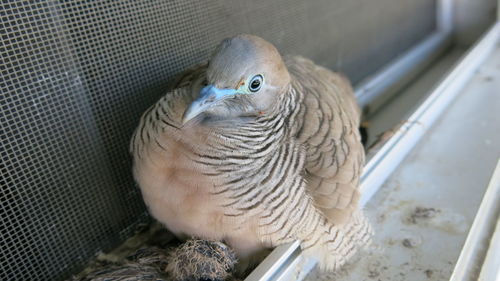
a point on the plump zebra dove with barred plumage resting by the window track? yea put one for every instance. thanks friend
(257, 150)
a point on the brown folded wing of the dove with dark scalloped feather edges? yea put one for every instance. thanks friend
(327, 126)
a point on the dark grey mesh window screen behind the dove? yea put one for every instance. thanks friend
(76, 76)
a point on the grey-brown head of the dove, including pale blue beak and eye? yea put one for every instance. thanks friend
(245, 77)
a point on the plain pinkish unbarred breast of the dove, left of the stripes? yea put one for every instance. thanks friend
(177, 191)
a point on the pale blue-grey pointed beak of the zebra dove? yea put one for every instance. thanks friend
(209, 96)
